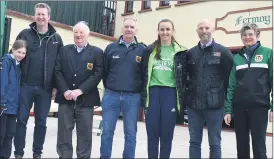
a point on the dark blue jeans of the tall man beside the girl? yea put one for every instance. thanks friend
(42, 100)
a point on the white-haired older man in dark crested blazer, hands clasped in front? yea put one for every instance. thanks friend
(78, 71)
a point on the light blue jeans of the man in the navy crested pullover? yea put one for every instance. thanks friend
(112, 104)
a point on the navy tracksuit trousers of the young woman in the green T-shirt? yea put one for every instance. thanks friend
(160, 120)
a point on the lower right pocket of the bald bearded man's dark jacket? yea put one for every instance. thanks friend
(215, 98)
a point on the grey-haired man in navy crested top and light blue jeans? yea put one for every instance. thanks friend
(122, 79)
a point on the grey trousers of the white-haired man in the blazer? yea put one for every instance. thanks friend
(68, 116)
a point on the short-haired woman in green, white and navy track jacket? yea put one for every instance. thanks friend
(248, 94)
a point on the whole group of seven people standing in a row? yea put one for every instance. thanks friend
(166, 78)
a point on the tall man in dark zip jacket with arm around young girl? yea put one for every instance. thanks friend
(37, 79)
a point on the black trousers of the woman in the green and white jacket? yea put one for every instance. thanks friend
(254, 119)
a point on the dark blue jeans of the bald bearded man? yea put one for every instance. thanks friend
(196, 121)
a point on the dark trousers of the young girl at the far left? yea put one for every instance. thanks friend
(7, 131)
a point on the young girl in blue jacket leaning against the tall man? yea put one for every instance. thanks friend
(10, 89)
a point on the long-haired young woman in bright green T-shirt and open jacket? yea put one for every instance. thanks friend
(164, 64)
